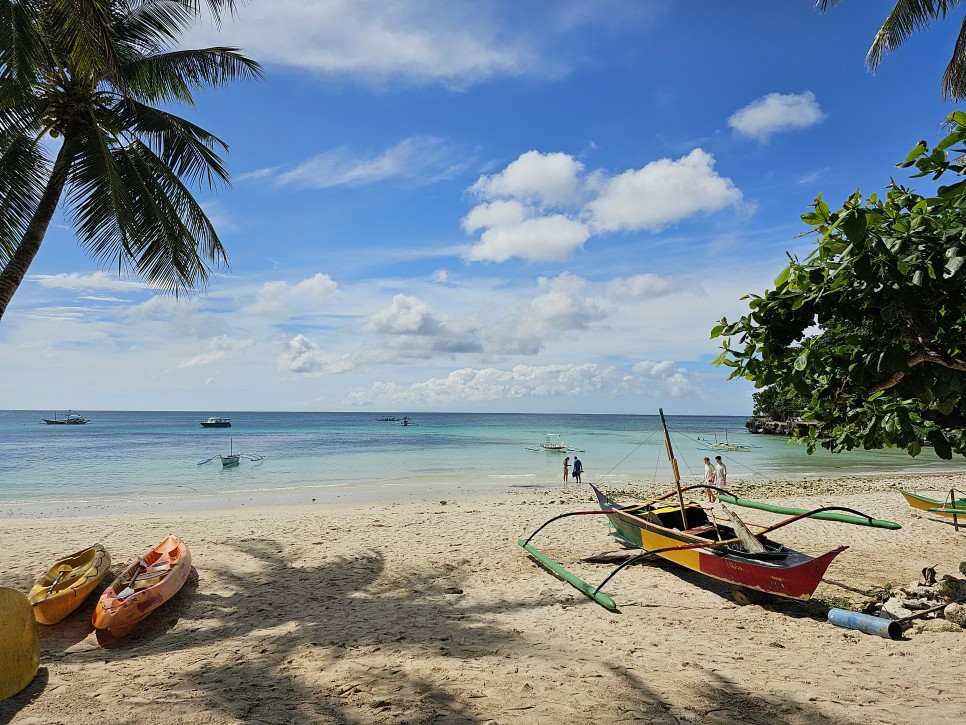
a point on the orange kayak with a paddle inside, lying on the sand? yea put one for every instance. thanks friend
(144, 586)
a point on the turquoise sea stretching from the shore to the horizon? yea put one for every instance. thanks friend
(145, 456)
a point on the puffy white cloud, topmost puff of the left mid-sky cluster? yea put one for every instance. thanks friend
(545, 179)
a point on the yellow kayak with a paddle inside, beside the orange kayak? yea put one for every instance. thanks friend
(67, 583)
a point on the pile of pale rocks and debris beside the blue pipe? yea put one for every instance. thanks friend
(931, 599)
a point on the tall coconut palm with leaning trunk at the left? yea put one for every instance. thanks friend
(91, 75)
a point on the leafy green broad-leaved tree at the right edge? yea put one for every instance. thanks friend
(871, 326)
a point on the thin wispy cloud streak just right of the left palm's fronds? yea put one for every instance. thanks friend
(422, 159)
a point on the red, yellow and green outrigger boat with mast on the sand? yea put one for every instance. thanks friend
(685, 534)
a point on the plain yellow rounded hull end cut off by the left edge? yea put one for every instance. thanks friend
(19, 643)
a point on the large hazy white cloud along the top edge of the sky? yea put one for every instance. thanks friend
(417, 41)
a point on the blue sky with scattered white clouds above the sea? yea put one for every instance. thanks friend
(449, 205)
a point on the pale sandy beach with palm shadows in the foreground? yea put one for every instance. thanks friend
(429, 612)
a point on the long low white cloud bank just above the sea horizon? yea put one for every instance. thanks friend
(529, 381)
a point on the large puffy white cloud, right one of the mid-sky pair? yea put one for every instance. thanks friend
(661, 193)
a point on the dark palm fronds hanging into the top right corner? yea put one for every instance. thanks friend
(907, 17)
